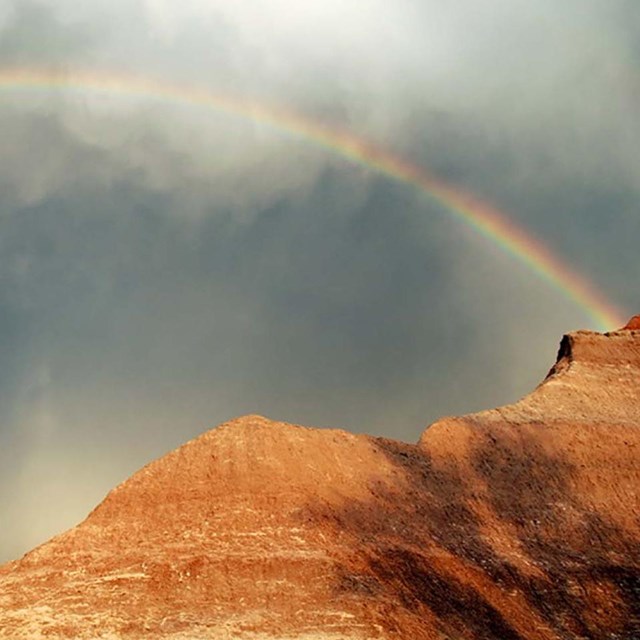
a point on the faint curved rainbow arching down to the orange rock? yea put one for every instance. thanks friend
(485, 219)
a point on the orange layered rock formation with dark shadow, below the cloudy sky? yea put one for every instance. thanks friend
(515, 523)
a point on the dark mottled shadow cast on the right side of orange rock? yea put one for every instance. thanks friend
(425, 543)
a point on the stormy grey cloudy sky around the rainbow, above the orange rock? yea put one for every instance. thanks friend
(166, 266)
